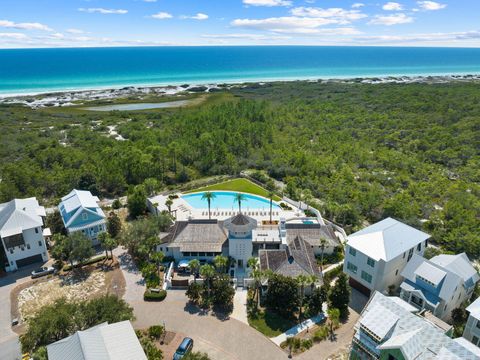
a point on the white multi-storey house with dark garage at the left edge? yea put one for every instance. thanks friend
(22, 233)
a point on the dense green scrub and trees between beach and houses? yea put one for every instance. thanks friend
(361, 151)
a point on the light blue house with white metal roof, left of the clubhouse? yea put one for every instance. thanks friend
(80, 212)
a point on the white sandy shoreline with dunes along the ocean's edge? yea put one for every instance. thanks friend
(66, 97)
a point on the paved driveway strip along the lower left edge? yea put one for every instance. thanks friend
(9, 344)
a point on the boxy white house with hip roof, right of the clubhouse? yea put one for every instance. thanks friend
(375, 256)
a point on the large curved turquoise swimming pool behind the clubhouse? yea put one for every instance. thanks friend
(226, 200)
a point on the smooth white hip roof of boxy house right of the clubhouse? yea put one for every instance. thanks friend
(386, 239)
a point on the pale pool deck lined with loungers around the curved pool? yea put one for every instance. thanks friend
(184, 211)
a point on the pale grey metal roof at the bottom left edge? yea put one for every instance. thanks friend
(116, 341)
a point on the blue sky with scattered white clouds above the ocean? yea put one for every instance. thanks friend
(63, 23)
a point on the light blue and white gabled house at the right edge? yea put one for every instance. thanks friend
(440, 284)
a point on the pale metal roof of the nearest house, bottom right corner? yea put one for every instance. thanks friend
(416, 337)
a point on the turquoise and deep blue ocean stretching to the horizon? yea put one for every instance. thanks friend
(41, 70)
